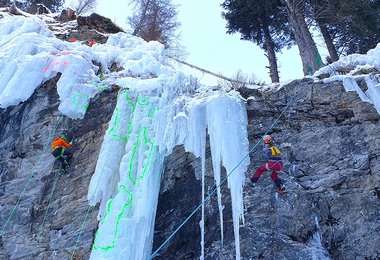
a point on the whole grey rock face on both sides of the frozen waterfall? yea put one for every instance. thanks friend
(330, 143)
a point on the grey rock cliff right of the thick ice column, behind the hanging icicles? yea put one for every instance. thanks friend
(330, 142)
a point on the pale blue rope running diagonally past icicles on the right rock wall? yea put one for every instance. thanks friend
(222, 183)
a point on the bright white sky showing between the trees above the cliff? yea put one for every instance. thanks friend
(208, 46)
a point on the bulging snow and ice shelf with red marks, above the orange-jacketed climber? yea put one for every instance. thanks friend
(31, 55)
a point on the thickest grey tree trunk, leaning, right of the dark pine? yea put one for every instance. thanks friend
(310, 57)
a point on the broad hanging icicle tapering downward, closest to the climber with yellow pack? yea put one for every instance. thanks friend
(230, 117)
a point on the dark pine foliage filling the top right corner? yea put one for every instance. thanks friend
(348, 26)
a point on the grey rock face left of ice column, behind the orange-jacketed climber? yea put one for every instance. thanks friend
(41, 212)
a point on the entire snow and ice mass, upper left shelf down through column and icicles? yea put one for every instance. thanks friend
(157, 109)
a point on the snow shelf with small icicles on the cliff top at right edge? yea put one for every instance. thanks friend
(352, 65)
